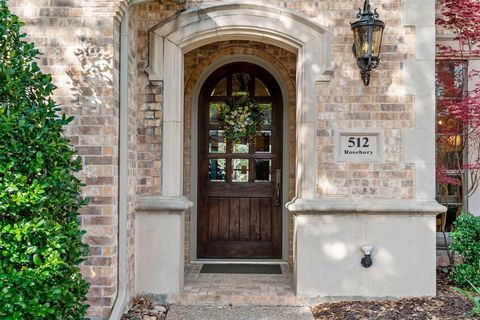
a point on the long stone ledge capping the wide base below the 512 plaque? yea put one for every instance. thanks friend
(366, 206)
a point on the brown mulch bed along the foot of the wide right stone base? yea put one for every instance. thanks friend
(447, 305)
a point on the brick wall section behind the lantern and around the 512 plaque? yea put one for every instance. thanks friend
(346, 103)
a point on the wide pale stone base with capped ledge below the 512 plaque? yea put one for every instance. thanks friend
(330, 233)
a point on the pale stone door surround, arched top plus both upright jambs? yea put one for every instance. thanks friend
(198, 26)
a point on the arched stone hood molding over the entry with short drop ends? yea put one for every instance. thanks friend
(213, 22)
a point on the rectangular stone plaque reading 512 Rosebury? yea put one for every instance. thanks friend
(358, 146)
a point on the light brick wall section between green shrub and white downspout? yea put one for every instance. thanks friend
(80, 46)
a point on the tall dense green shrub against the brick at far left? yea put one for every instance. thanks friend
(40, 239)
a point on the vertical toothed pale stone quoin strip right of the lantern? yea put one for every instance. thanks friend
(419, 76)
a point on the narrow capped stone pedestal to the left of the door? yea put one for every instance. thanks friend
(160, 244)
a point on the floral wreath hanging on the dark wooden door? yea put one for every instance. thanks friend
(240, 117)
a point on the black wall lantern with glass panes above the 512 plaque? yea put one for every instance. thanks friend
(367, 36)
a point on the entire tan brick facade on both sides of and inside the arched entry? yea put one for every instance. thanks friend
(80, 42)
